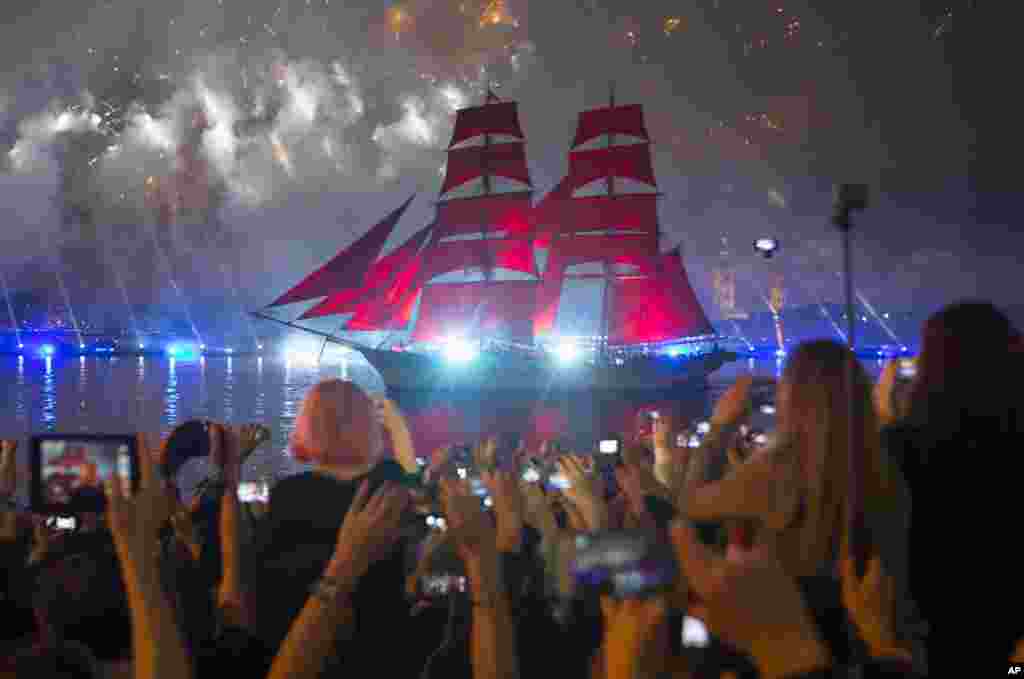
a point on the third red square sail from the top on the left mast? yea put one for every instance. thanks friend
(511, 214)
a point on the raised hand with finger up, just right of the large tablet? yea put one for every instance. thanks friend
(136, 521)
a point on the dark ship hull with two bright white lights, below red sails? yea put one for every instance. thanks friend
(405, 372)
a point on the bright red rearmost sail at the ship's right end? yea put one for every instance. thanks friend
(658, 308)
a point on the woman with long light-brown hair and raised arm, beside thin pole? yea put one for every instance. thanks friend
(799, 488)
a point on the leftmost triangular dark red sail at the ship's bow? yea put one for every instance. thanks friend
(349, 269)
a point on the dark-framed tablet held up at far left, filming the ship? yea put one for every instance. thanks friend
(68, 472)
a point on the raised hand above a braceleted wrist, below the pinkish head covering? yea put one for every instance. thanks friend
(369, 532)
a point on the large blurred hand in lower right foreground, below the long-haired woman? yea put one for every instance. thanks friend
(753, 605)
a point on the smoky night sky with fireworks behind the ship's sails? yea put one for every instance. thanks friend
(327, 114)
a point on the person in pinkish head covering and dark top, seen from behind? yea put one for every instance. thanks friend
(340, 431)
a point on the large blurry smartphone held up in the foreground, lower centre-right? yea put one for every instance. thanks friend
(625, 565)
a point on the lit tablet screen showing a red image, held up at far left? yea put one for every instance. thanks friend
(72, 469)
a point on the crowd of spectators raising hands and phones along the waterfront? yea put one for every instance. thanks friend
(834, 547)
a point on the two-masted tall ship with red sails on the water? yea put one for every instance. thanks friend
(500, 292)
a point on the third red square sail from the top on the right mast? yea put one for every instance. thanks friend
(631, 213)
